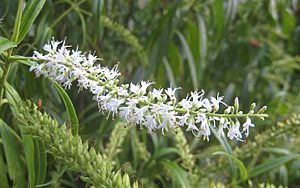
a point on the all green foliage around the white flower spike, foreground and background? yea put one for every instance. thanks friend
(248, 49)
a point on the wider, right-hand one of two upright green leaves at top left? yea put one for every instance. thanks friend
(31, 11)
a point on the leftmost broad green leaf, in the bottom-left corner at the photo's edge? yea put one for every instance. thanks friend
(12, 153)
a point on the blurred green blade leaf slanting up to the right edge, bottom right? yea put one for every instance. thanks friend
(271, 164)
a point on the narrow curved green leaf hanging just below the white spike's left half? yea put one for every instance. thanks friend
(70, 109)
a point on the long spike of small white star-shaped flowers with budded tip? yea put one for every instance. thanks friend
(136, 103)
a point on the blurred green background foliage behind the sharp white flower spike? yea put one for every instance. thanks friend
(248, 49)
